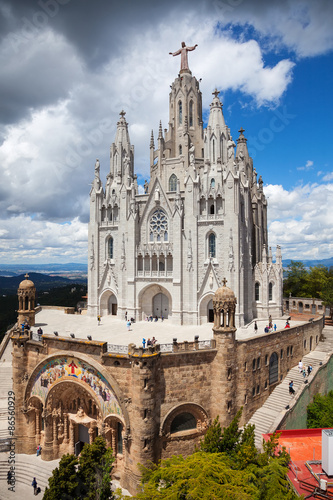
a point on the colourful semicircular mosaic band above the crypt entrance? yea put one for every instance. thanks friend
(66, 368)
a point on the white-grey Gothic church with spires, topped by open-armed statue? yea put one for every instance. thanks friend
(201, 218)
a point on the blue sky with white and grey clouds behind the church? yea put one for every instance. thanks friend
(68, 68)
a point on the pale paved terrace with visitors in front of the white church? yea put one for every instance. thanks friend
(114, 330)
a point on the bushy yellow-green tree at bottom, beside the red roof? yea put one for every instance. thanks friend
(239, 472)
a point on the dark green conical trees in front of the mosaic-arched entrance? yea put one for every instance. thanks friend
(86, 478)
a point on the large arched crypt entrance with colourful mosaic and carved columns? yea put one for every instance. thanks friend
(69, 400)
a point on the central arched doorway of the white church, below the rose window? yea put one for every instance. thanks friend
(152, 297)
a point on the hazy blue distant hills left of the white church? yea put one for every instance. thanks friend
(43, 282)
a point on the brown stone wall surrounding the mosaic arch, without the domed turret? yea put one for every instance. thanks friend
(154, 388)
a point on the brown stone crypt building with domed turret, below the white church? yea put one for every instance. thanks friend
(148, 404)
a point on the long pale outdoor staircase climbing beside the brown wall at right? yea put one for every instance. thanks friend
(268, 417)
